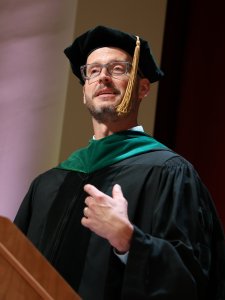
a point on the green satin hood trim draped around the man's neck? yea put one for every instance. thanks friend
(110, 150)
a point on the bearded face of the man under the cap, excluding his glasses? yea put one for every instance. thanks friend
(103, 93)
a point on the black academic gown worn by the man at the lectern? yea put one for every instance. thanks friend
(177, 249)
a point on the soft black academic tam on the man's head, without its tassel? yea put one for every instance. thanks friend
(102, 36)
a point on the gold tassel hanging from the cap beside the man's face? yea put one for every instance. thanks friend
(125, 105)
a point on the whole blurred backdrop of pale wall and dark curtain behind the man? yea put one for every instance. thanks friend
(42, 117)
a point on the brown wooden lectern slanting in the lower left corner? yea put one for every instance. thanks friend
(24, 272)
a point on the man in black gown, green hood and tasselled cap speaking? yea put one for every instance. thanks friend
(125, 217)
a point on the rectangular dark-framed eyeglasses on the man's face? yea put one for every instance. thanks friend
(114, 68)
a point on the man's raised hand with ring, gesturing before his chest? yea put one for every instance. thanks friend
(107, 216)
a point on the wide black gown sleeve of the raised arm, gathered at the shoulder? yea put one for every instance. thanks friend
(171, 251)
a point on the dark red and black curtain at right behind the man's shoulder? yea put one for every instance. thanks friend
(190, 115)
